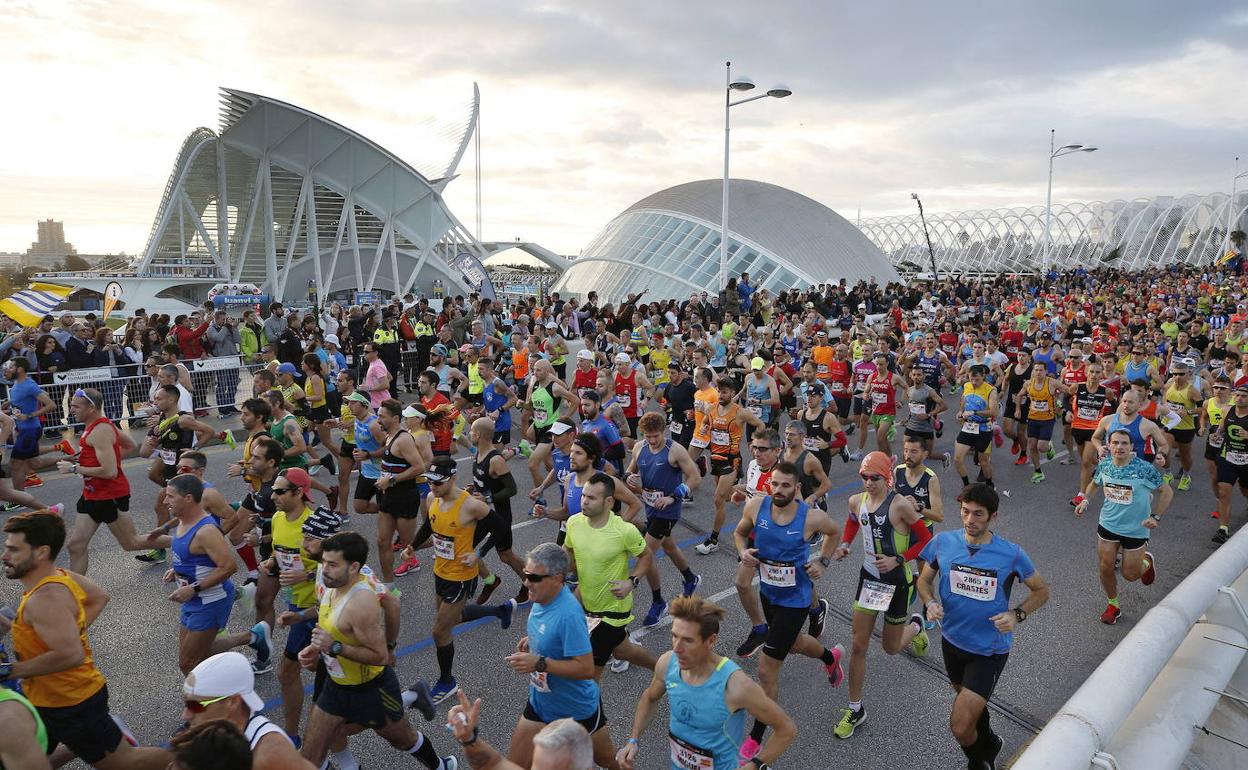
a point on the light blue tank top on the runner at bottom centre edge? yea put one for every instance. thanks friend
(700, 722)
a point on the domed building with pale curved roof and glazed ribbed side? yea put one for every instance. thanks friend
(668, 244)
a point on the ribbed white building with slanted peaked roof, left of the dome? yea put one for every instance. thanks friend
(293, 202)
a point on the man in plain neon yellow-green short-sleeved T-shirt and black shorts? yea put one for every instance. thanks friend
(601, 546)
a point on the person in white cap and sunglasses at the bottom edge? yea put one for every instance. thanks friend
(224, 688)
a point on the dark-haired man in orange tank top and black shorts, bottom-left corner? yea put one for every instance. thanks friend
(63, 683)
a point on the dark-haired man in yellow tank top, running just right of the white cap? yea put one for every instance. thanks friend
(361, 690)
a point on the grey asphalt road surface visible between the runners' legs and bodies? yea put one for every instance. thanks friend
(908, 699)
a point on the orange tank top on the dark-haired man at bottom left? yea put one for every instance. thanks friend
(67, 688)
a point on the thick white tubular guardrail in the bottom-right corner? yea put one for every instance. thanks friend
(1148, 702)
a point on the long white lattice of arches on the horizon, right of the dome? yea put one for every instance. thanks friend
(1130, 235)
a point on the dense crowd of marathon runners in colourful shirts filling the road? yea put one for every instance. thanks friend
(661, 404)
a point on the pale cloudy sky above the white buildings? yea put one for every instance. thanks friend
(588, 107)
